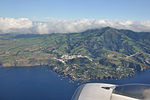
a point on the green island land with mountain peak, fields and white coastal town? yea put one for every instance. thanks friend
(92, 54)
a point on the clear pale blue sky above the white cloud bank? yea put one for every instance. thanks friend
(76, 9)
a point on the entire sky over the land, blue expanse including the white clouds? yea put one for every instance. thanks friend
(63, 16)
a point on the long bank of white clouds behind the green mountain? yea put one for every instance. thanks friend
(24, 25)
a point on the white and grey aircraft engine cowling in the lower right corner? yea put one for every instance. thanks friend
(100, 91)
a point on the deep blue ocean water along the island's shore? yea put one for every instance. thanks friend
(38, 83)
